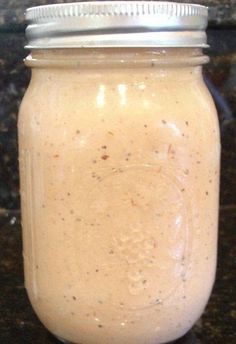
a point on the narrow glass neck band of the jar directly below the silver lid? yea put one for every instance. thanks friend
(117, 57)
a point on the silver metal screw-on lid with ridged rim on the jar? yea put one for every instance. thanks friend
(117, 24)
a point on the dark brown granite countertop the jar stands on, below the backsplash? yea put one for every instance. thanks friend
(19, 324)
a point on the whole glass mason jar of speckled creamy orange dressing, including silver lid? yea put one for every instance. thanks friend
(119, 167)
